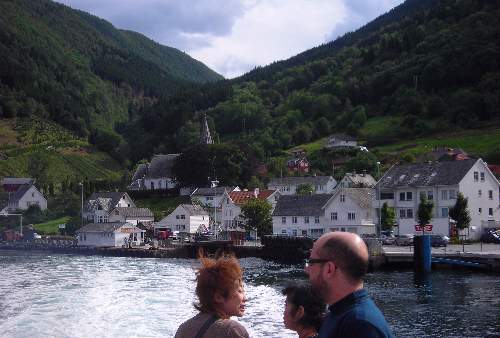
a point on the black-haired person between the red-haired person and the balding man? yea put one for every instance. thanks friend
(304, 311)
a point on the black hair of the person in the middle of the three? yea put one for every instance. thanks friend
(303, 295)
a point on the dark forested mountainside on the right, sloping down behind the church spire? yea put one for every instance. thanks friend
(429, 66)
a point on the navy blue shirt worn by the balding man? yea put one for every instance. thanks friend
(355, 315)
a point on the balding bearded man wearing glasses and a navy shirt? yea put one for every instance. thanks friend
(336, 267)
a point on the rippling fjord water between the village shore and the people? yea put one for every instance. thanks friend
(50, 295)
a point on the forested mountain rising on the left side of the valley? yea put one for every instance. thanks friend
(78, 70)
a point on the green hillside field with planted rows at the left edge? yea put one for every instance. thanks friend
(69, 157)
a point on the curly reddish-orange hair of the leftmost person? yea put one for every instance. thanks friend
(221, 274)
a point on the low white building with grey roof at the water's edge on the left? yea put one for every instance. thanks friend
(109, 235)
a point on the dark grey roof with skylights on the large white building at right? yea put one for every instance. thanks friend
(426, 174)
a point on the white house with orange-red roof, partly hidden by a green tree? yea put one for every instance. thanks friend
(232, 222)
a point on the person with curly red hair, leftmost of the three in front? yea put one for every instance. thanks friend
(220, 292)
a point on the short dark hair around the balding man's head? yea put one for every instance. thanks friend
(346, 258)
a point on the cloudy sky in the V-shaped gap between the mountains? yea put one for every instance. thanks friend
(234, 36)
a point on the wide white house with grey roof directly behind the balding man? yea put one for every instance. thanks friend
(348, 209)
